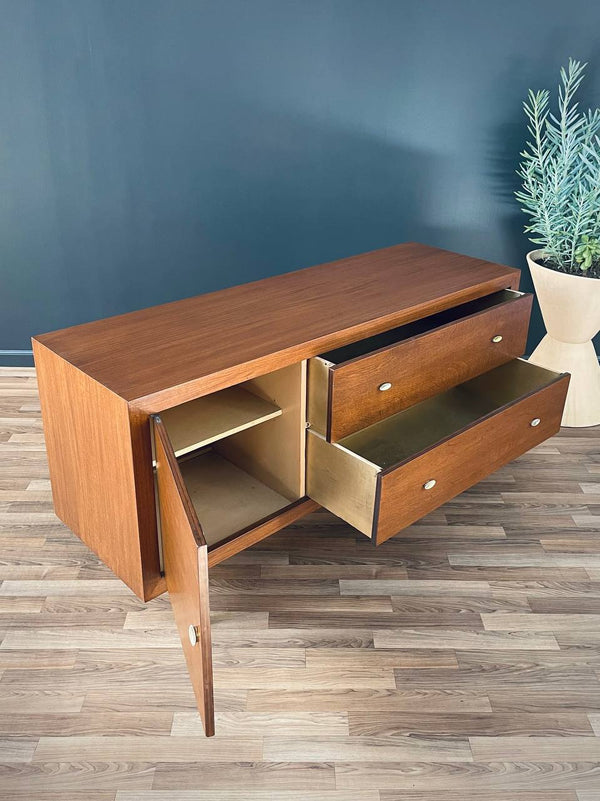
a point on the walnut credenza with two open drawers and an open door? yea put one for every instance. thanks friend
(378, 387)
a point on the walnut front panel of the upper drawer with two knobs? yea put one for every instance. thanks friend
(372, 387)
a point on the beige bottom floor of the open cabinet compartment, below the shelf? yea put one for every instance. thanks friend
(226, 498)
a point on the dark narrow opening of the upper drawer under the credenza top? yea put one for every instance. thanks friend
(365, 346)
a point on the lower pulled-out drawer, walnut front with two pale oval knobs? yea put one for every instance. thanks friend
(384, 477)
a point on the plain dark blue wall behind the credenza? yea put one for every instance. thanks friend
(153, 149)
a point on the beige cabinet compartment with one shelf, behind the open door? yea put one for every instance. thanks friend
(241, 451)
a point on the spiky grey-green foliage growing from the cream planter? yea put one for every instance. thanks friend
(560, 172)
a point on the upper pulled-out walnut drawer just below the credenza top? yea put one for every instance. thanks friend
(359, 384)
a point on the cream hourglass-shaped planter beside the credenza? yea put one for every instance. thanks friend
(570, 307)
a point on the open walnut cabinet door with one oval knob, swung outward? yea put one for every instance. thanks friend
(186, 572)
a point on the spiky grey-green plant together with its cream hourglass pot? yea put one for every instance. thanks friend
(560, 193)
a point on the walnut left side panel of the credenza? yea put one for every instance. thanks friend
(90, 454)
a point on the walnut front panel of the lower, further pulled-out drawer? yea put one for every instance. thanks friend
(463, 460)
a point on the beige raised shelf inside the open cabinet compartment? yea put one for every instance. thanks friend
(205, 420)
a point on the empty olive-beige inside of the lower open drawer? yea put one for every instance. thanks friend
(413, 430)
